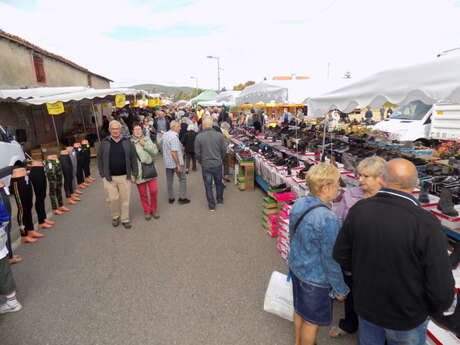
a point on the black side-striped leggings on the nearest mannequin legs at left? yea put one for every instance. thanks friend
(21, 188)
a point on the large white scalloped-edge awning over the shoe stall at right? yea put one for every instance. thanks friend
(429, 82)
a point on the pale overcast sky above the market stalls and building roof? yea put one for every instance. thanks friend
(167, 41)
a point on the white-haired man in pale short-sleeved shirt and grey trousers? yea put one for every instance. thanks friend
(173, 157)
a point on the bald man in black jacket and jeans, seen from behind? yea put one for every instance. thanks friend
(397, 253)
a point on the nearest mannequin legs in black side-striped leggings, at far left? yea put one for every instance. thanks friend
(21, 188)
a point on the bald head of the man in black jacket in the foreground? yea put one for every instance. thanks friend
(400, 174)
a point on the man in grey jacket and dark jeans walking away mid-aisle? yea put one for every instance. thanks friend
(210, 152)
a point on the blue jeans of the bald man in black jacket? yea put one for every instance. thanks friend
(371, 334)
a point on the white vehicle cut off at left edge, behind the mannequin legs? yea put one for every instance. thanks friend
(11, 154)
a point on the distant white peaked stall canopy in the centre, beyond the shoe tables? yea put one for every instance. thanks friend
(263, 92)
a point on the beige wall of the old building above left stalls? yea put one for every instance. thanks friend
(17, 70)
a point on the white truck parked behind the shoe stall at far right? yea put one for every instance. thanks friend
(417, 121)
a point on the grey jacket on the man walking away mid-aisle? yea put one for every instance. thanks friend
(210, 148)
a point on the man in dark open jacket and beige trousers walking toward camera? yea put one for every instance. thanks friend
(117, 164)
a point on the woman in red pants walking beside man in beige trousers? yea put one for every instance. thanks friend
(146, 185)
